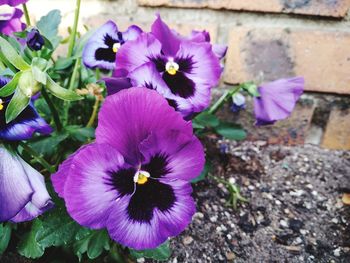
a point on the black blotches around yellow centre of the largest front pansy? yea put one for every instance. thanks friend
(153, 194)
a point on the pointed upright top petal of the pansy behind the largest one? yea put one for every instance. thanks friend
(170, 41)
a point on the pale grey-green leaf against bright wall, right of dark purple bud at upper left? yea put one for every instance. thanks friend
(48, 26)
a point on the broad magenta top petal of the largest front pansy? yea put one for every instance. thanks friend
(130, 116)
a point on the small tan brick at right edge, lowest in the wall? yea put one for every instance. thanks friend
(337, 134)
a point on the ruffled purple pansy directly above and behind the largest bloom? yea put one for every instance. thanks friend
(183, 71)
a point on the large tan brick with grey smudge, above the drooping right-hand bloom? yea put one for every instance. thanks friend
(265, 54)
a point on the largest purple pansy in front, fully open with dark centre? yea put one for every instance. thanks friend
(135, 179)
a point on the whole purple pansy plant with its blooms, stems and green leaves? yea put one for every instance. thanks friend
(99, 147)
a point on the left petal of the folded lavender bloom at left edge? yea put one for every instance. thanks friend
(15, 189)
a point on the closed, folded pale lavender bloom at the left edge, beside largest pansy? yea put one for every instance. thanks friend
(23, 192)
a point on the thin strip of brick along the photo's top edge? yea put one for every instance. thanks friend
(335, 8)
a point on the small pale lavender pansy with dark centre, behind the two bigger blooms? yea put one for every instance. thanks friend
(100, 50)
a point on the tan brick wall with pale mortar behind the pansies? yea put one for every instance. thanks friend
(267, 39)
